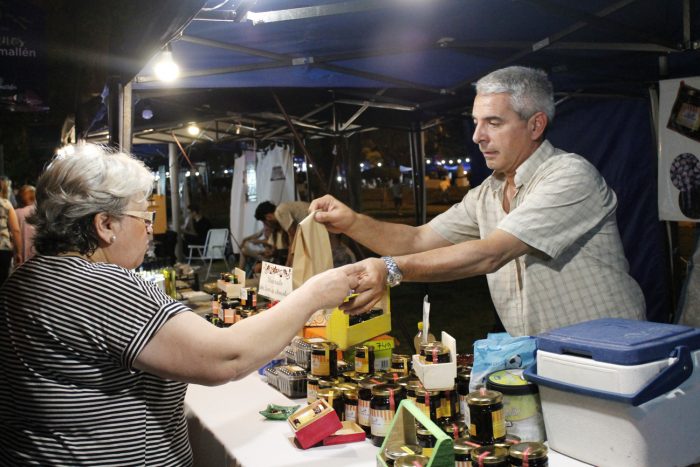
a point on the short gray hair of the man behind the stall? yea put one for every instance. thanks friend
(529, 88)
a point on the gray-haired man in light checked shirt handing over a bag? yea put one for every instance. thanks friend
(542, 227)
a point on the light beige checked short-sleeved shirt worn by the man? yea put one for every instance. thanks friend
(564, 209)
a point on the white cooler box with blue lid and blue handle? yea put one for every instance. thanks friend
(621, 393)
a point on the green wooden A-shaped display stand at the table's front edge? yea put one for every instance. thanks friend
(403, 430)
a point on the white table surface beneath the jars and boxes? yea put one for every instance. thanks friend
(226, 430)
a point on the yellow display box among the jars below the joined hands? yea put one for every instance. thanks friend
(339, 331)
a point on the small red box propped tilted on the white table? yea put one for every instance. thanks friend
(313, 423)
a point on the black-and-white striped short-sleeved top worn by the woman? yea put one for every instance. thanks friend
(70, 331)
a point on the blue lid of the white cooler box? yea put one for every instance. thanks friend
(619, 341)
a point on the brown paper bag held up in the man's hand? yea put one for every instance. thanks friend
(312, 255)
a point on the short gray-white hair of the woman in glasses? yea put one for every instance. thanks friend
(75, 187)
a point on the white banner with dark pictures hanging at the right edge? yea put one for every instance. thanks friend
(679, 149)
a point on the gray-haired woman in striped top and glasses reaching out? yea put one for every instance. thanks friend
(94, 359)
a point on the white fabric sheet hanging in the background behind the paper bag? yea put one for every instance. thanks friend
(274, 175)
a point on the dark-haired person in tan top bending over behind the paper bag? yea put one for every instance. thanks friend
(283, 220)
